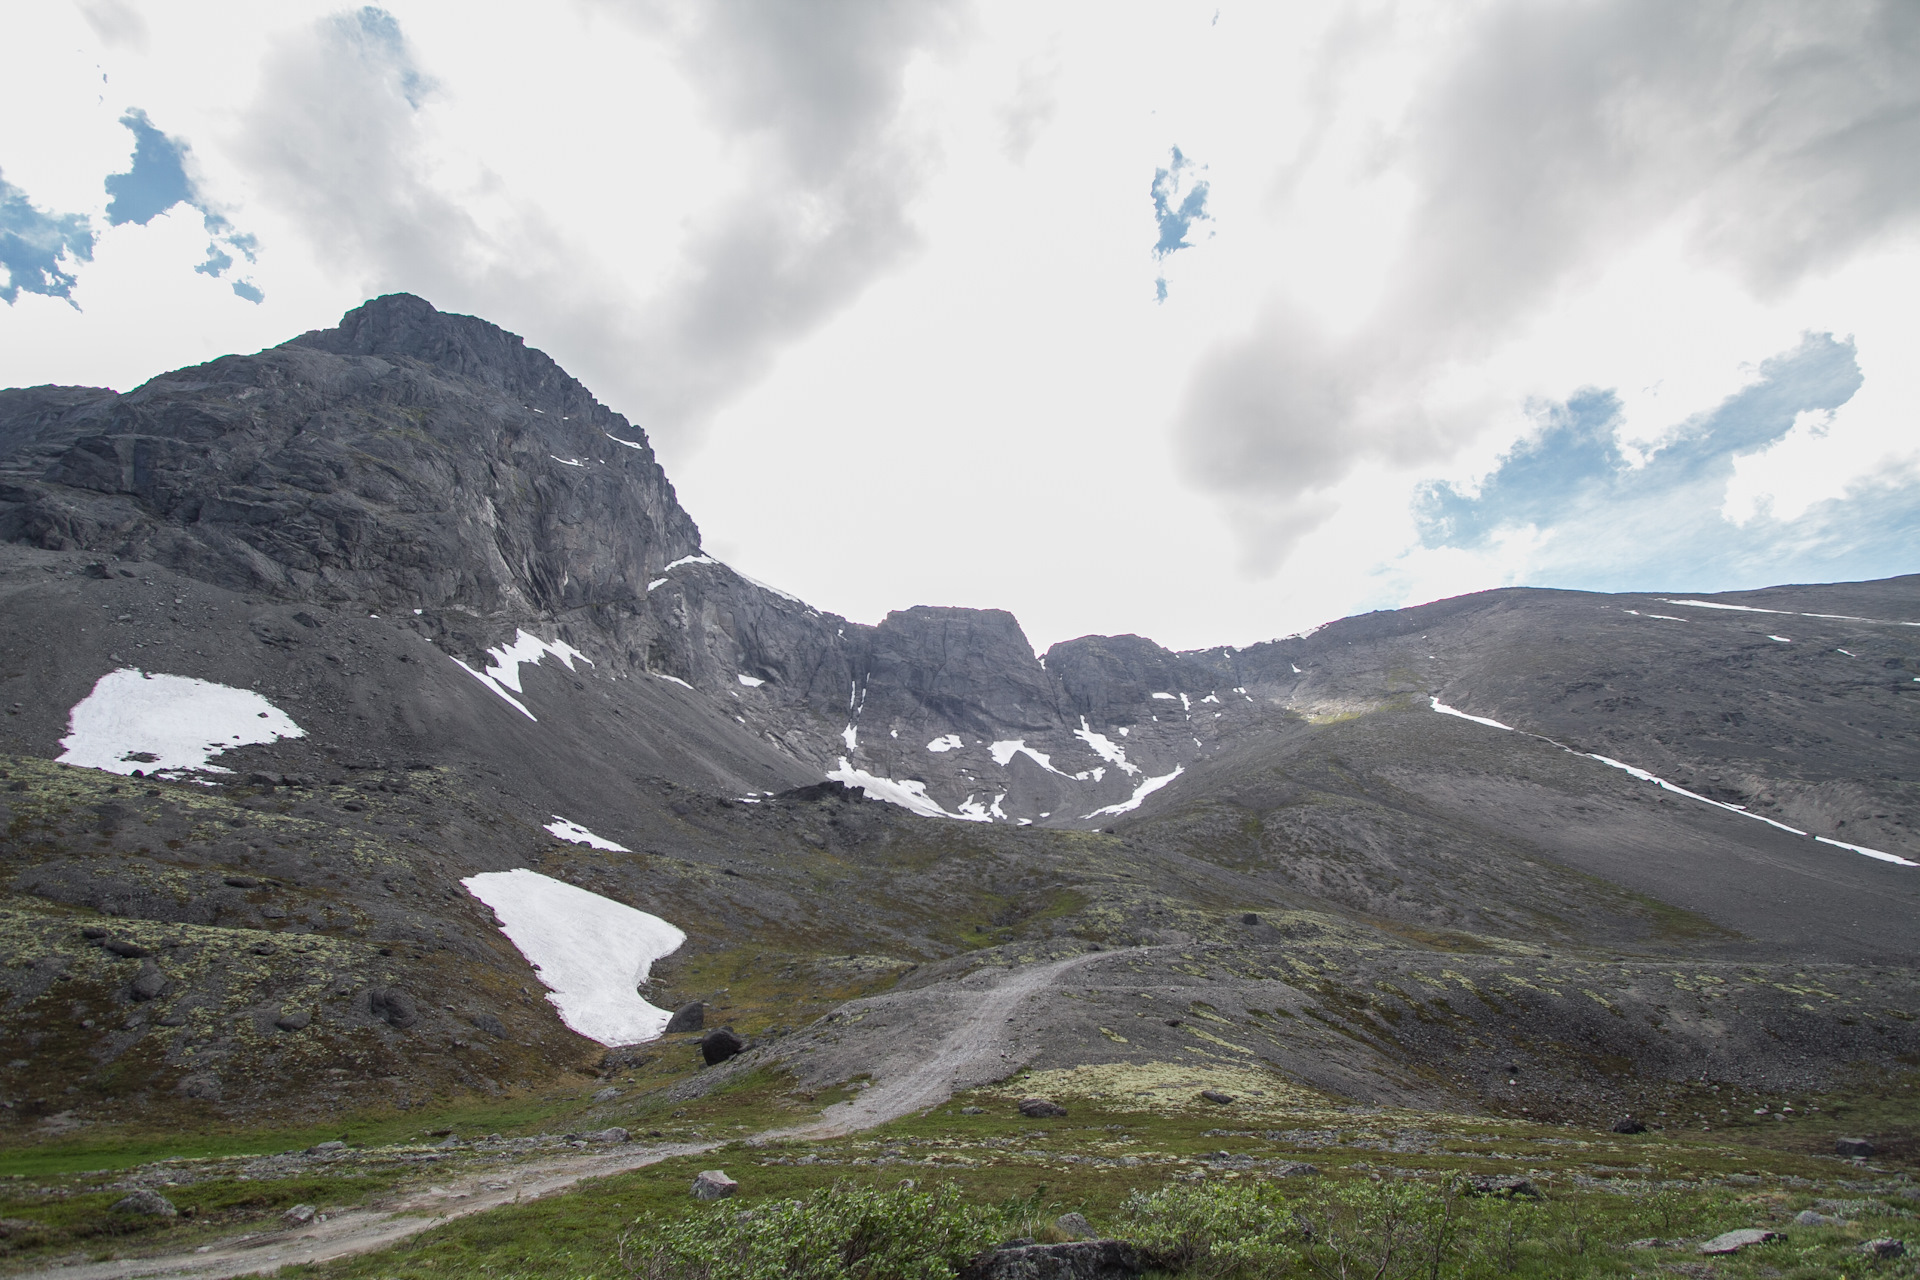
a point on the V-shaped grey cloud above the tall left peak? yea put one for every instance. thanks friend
(813, 89)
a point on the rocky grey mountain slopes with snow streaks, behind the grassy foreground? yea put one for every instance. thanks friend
(481, 611)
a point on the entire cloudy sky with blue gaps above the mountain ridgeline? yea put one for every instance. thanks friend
(1199, 321)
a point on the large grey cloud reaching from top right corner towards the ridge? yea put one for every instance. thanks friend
(1560, 133)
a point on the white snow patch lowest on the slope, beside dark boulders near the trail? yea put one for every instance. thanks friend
(590, 951)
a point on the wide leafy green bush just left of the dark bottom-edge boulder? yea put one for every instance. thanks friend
(846, 1233)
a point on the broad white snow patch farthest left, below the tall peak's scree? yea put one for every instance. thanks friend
(168, 724)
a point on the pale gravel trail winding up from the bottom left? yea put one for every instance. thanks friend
(978, 1051)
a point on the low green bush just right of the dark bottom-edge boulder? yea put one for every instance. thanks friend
(1228, 1231)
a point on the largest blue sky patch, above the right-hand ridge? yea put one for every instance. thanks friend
(1602, 525)
